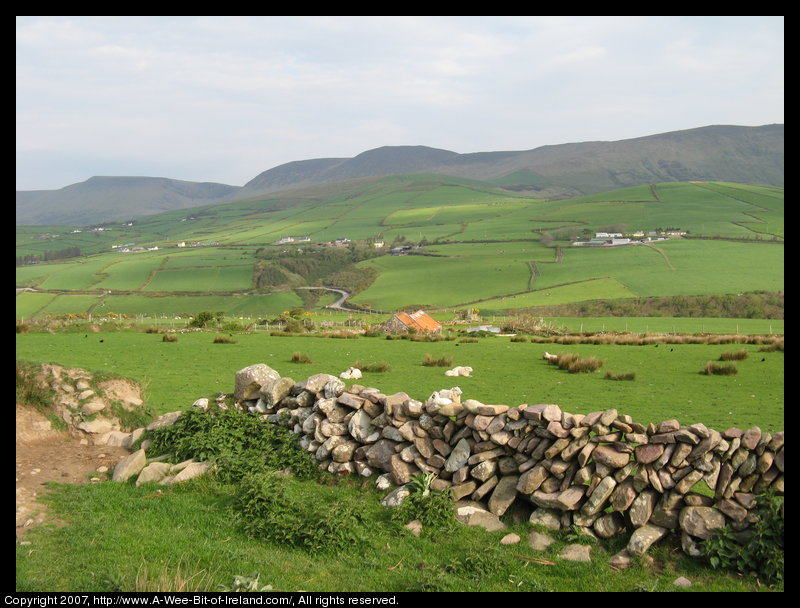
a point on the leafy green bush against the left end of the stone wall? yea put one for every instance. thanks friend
(239, 443)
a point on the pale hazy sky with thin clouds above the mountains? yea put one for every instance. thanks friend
(222, 99)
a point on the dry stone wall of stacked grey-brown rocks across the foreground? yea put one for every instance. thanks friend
(602, 471)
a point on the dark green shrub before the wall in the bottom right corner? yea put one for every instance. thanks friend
(759, 549)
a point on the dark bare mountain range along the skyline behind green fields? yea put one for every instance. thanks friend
(713, 153)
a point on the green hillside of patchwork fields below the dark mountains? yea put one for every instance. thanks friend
(473, 246)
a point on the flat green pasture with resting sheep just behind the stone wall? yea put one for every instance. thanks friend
(667, 384)
